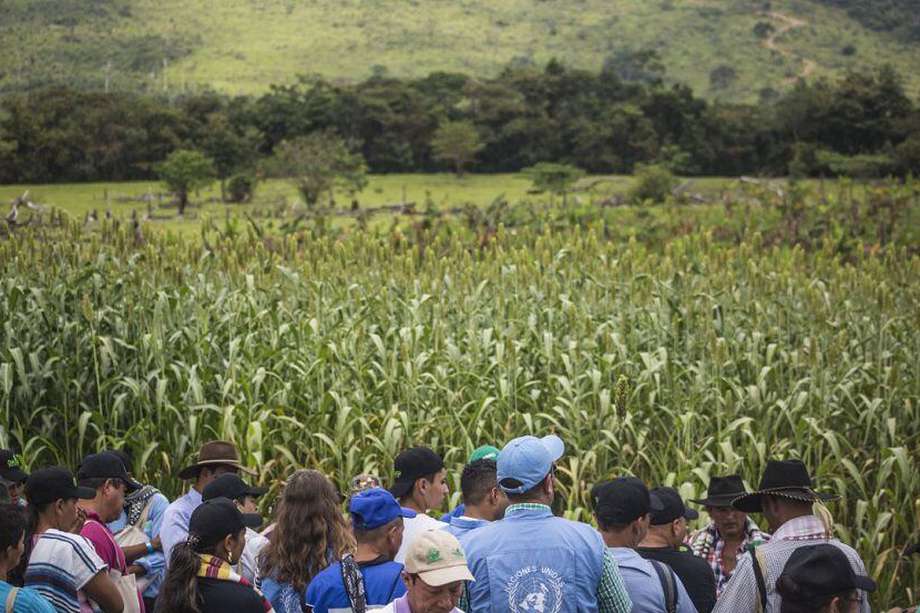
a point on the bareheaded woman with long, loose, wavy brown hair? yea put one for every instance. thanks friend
(310, 533)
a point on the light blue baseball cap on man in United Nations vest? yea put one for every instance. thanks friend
(527, 460)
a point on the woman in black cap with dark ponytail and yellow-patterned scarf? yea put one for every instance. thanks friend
(200, 577)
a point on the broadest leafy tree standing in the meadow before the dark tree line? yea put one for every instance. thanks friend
(319, 163)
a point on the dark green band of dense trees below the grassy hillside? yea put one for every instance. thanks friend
(863, 124)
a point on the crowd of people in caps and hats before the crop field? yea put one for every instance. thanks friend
(100, 541)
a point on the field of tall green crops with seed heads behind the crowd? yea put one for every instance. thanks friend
(674, 364)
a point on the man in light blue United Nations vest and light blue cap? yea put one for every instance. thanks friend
(531, 560)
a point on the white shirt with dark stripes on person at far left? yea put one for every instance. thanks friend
(60, 565)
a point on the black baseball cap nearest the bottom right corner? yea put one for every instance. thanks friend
(816, 573)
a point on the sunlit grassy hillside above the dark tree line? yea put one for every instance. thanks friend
(243, 46)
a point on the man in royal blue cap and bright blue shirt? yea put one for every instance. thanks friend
(371, 577)
